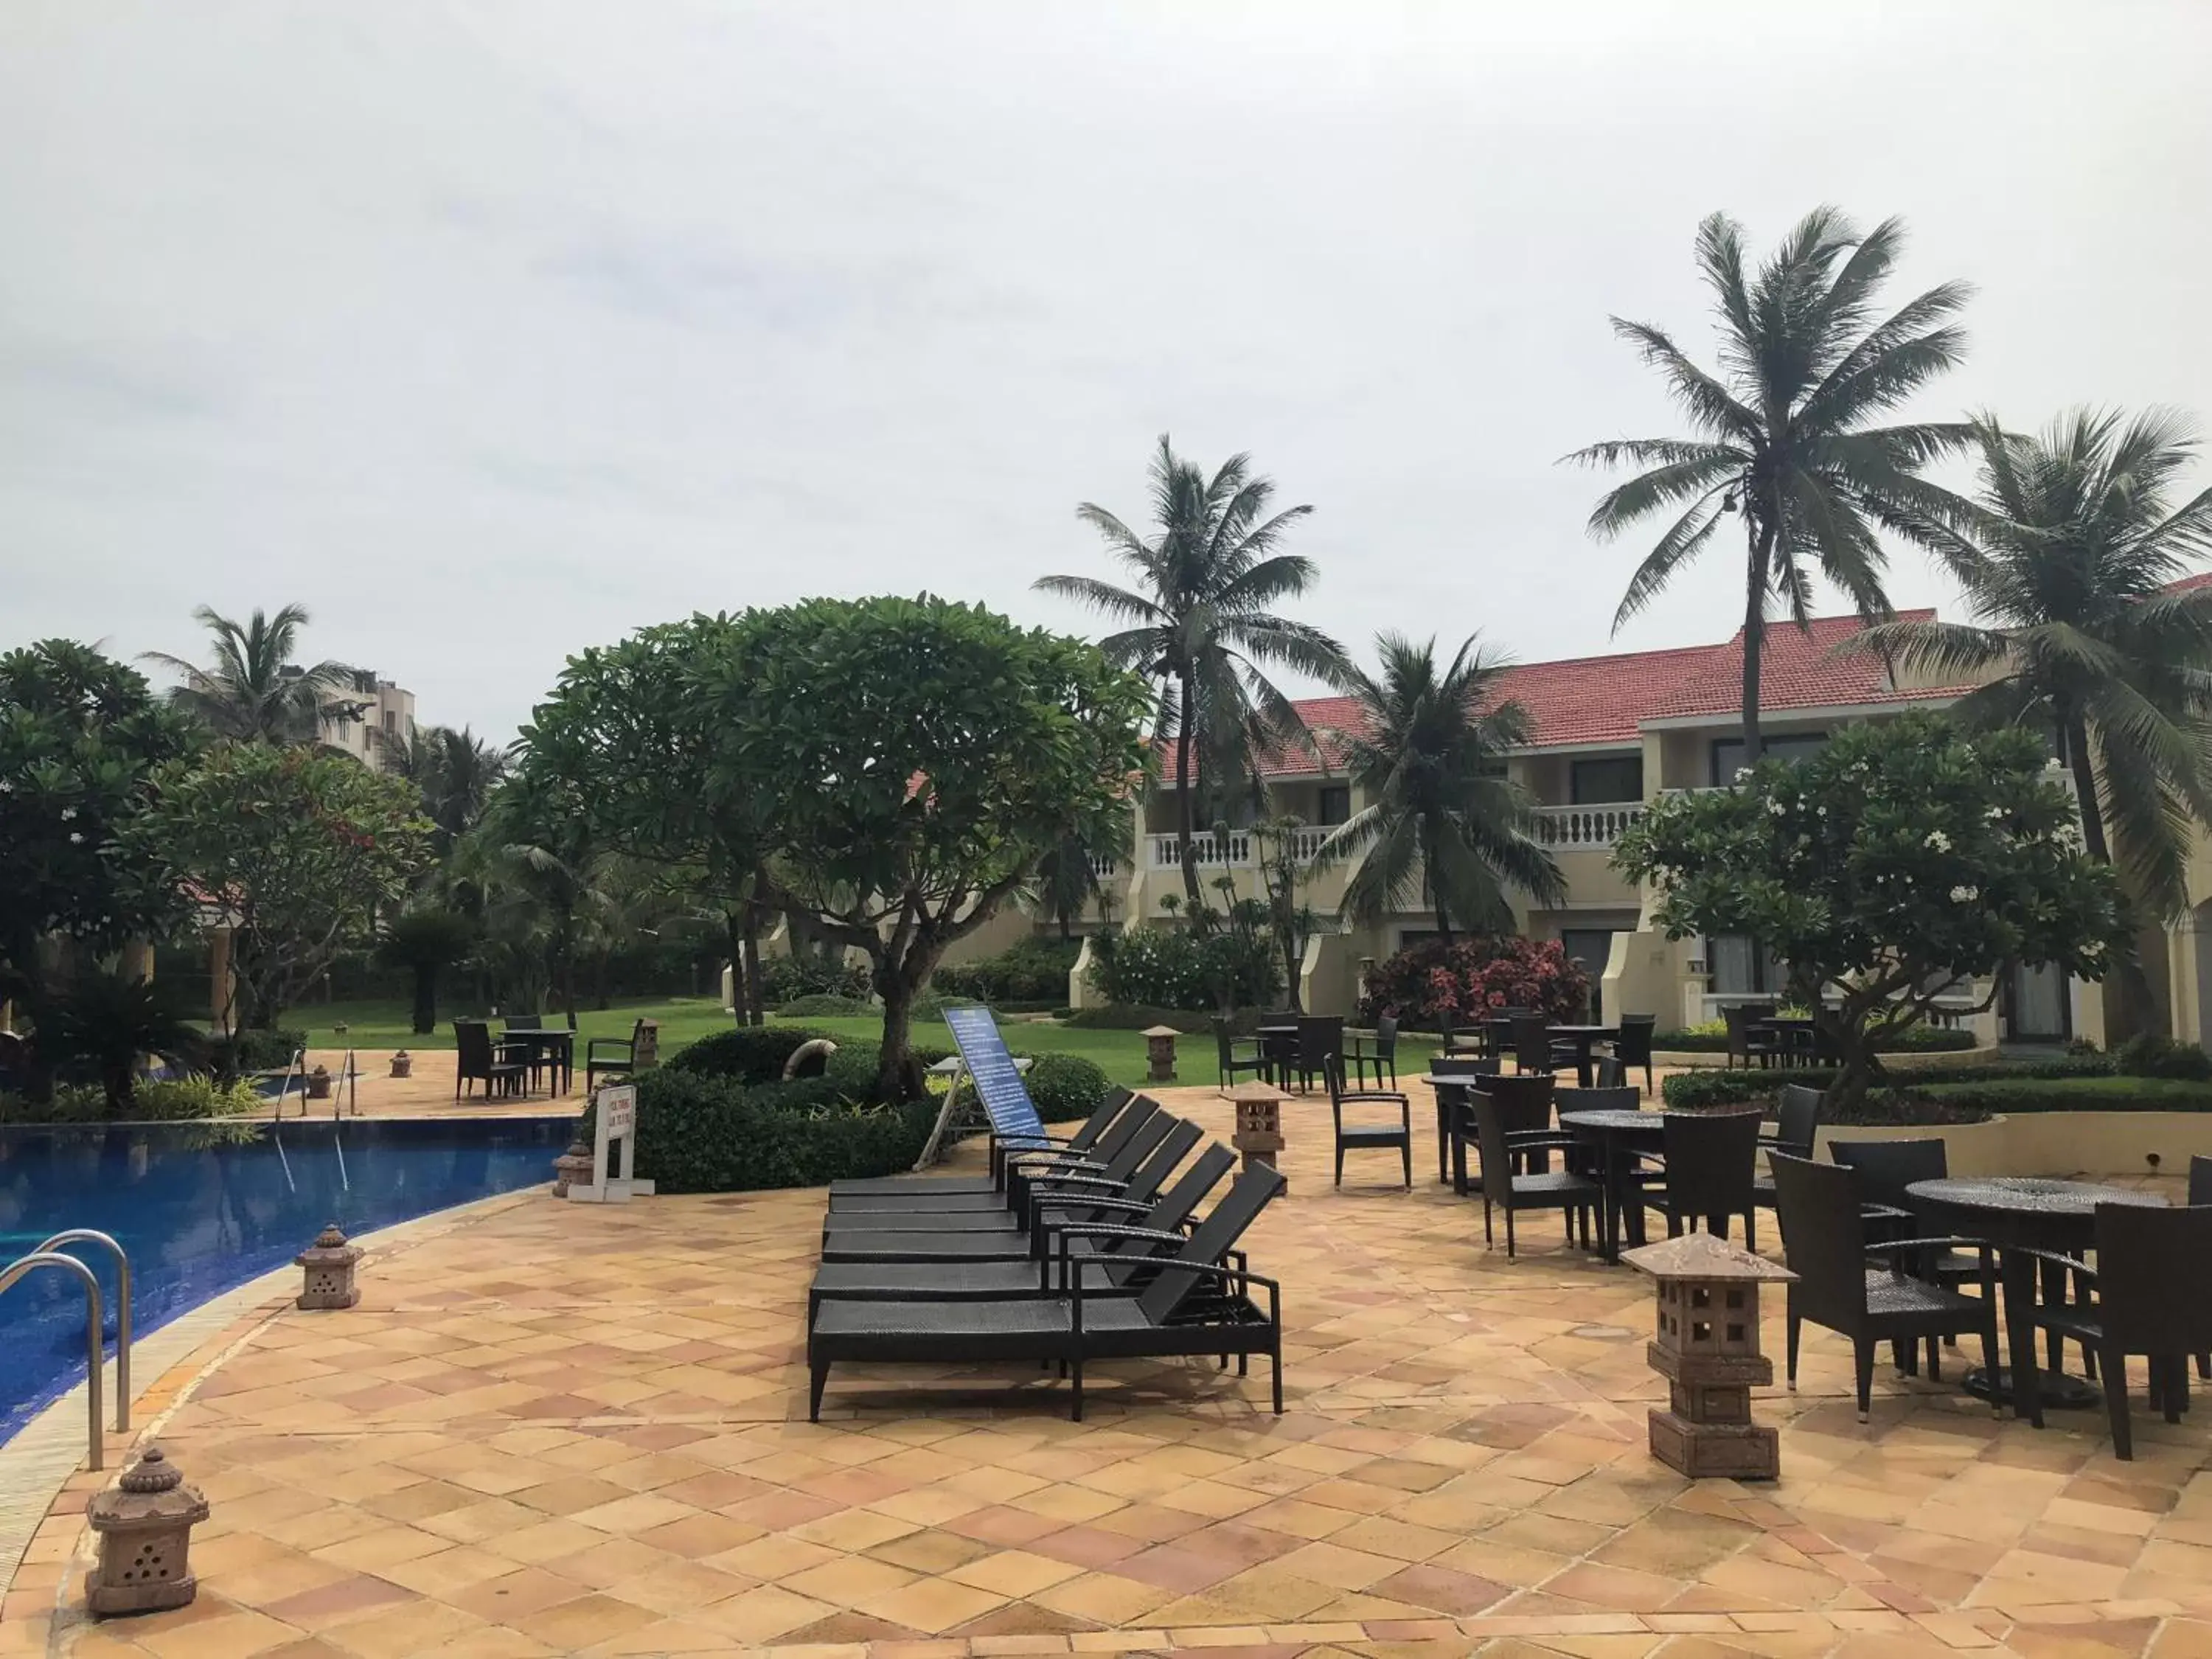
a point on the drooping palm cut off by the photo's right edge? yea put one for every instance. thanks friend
(2067, 559)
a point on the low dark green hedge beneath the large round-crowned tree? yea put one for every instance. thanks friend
(700, 1134)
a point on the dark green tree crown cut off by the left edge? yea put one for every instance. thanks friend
(83, 742)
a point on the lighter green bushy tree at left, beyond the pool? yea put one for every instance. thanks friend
(298, 848)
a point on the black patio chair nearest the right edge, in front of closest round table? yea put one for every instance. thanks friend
(2151, 1293)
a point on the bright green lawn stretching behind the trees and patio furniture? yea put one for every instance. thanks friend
(1120, 1054)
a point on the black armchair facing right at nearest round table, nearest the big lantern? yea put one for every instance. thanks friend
(1826, 1246)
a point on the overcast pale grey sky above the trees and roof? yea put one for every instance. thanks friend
(497, 331)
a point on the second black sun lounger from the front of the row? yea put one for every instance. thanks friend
(1112, 1266)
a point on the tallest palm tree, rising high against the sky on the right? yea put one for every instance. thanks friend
(1782, 432)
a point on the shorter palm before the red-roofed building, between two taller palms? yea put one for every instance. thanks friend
(1443, 822)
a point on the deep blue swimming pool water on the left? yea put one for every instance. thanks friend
(209, 1207)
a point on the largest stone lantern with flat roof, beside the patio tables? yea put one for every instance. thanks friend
(1707, 1348)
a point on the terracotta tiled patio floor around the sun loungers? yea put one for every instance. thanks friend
(572, 1430)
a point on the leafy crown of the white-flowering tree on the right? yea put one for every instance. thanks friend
(1890, 868)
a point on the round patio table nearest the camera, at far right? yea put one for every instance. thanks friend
(2027, 1213)
